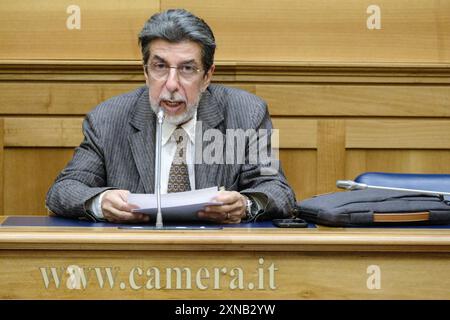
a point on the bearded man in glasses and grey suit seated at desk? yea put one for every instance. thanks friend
(117, 155)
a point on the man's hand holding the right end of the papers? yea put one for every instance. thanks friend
(231, 211)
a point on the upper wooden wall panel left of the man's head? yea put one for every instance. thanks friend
(37, 29)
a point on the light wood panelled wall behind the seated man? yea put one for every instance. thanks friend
(345, 98)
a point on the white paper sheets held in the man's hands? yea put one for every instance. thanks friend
(177, 206)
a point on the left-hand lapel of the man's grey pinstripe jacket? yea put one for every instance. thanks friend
(142, 141)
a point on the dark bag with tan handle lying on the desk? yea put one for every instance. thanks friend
(371, 207)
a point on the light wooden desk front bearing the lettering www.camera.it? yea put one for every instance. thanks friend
(323, 263)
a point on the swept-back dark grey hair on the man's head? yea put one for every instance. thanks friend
(177, 25)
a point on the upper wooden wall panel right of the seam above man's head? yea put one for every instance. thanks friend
(267, 30)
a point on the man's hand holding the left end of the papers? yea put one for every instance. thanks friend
(116, 209)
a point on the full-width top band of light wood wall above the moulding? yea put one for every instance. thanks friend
(255, 30)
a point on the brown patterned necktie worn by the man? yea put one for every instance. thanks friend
(179, 174)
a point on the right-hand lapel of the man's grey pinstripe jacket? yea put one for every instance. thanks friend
(209, 116)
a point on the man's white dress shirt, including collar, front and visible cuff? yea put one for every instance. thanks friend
(168, 148)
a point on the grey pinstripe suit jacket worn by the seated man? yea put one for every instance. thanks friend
(118, 152)
